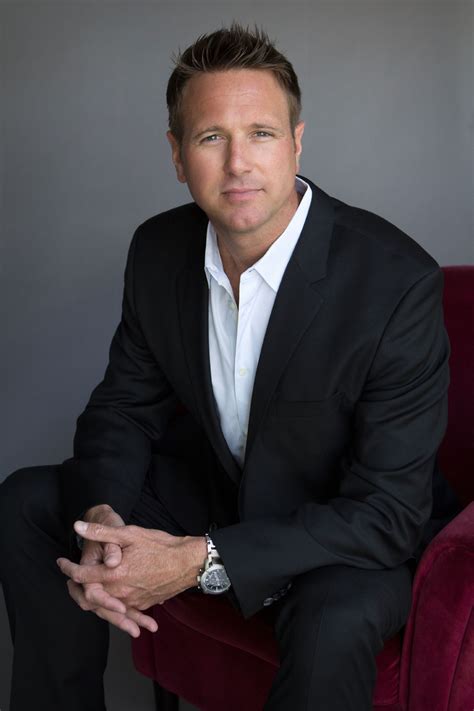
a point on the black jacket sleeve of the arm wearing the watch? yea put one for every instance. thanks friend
(385, 495)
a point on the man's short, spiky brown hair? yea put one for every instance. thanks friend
(234, 48)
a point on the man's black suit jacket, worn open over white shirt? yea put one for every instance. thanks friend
(348, 408)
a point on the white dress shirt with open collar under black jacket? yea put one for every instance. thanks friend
(236, 333)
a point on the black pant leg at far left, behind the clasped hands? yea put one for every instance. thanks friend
(60, 651)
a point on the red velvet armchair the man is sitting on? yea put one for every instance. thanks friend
(207, 654)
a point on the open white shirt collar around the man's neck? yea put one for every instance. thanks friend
(272, 265)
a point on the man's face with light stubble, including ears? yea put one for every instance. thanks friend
(238, 155)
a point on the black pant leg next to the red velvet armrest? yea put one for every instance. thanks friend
(330, 627)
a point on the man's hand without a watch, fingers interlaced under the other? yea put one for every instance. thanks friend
(93, 596)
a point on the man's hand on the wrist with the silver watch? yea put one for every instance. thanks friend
(154, 565)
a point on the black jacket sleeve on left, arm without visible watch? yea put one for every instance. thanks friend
(126, 412)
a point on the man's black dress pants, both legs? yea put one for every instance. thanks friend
(330, 626)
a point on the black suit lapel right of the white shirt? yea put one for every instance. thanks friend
(296, 305)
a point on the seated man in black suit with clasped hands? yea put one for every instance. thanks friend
(305, 340)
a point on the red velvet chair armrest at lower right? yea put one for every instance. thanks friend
(438, 645)
